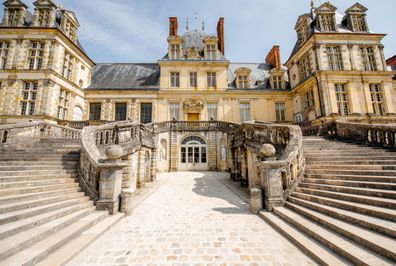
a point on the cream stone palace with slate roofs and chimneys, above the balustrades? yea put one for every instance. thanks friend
(337, 69)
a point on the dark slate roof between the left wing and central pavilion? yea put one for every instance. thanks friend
(125, 76)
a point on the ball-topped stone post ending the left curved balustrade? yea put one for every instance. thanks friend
(110, 180)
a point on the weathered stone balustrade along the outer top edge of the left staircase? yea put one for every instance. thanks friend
(14, 135)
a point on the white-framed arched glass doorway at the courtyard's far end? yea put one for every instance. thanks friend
(193, 154)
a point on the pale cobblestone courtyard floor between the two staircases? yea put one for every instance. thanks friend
(192, 219)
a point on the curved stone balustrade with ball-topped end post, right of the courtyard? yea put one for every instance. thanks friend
(275, 161)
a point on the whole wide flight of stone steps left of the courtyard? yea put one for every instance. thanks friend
(44, 217)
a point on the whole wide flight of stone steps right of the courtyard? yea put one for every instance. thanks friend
(344, 210)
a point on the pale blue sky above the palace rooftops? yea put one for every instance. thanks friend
(136, 30)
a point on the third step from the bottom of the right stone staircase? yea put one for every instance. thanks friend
(382, 245)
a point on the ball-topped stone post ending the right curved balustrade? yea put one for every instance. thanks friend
(271, 178)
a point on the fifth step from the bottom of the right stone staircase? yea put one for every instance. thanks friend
(379, 212)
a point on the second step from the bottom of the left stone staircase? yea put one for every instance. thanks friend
(37, 252)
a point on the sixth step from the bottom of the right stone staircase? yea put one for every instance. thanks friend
(375, 201)
